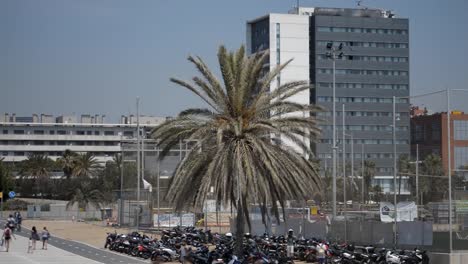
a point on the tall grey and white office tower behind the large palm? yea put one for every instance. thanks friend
(372, 66)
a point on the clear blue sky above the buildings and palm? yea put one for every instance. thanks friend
(96, 56)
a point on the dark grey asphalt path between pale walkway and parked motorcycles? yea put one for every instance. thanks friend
(93, 253)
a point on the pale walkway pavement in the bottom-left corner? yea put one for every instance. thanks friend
(18, 254)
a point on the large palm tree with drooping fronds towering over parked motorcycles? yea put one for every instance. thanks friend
(235, 154)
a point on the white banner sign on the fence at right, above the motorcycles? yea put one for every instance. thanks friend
(407, 211)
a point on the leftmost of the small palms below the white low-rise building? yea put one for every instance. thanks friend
(38, 167)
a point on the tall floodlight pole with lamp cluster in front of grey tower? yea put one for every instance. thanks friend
(332, 53)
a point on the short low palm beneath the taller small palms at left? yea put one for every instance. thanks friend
(86, 194)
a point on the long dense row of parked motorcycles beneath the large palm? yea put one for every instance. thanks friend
(198, 246)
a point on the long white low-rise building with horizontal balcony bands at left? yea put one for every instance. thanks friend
(44, 134)
